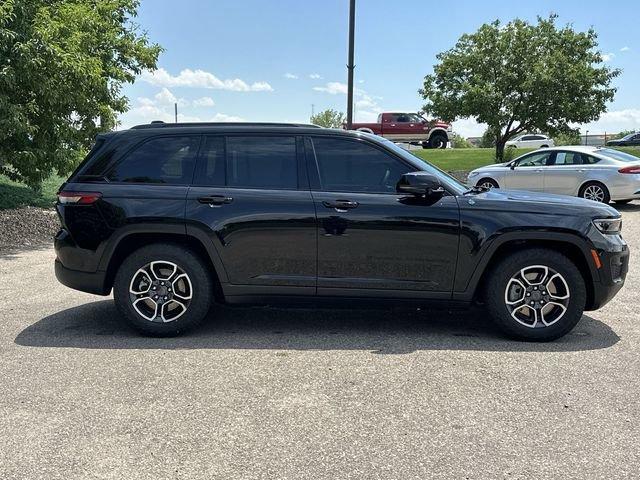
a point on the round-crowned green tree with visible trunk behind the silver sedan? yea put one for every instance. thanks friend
(521, 77)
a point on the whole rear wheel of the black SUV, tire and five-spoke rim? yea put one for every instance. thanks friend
(163, 289)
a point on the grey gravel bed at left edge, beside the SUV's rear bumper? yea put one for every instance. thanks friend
(27, 227)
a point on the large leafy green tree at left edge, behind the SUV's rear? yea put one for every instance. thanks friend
(62, 67)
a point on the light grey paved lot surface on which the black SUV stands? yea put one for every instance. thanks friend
(262, 393)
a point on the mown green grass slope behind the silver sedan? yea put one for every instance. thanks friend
(451, 159)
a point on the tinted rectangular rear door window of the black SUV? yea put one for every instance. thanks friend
(262, 162)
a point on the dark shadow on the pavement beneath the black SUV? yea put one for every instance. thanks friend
(98, 325)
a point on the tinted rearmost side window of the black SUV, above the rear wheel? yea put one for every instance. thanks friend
(167, 160)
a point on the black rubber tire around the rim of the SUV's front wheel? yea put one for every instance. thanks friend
(498, 280)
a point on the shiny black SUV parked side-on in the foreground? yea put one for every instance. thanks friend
(177, 217)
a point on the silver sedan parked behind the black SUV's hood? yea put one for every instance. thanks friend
(595, 173)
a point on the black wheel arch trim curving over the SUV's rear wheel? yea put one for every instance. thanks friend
(135, 240)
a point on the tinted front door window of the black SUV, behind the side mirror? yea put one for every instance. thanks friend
(351, 166)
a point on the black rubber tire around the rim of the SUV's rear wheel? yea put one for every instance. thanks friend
(198, 274)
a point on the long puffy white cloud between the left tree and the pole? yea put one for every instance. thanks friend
(201, 79)
